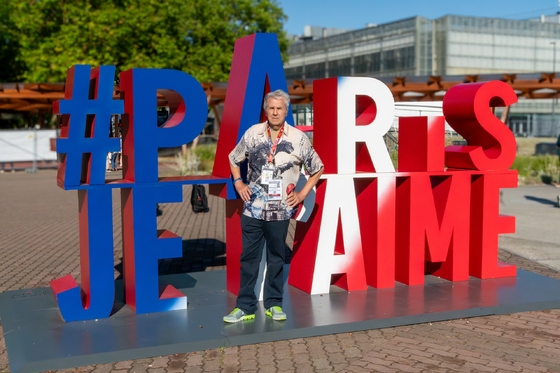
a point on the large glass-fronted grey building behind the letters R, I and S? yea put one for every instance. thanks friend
(450, 45)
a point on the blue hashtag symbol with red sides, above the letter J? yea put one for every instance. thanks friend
(86, 119)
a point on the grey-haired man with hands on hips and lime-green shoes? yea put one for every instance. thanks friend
(276, 152)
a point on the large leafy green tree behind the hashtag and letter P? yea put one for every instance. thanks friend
(196, 36)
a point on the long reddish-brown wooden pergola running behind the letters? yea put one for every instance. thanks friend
(37, 98)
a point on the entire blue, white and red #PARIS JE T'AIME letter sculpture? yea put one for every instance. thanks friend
(371, 226)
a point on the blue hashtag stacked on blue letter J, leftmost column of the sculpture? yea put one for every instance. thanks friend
(84, 142)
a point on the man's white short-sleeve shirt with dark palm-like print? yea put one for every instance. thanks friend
(293, 152)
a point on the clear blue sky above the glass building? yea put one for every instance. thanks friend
(355, 14)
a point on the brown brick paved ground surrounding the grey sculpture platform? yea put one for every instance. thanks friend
(39, 242)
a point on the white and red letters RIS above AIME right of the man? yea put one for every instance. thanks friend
(423, 219)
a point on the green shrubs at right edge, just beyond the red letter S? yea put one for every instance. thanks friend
(537, 169)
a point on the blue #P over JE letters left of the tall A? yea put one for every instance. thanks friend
(84, 135)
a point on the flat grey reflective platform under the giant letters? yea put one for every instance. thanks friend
(37, 339)
